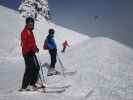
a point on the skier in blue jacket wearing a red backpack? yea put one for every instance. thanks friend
(52, 48)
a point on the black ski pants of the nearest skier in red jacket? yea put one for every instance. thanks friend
(31, 70)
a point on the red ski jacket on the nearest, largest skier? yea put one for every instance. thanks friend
(28, 43)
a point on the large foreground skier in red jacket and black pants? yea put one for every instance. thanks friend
(29, 49)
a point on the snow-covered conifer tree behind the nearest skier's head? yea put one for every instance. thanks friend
(33, 8)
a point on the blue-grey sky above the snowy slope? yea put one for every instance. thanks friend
(109, 18)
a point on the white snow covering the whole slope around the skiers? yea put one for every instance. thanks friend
(104, 66)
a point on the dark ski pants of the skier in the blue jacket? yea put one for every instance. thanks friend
(53, 53)
